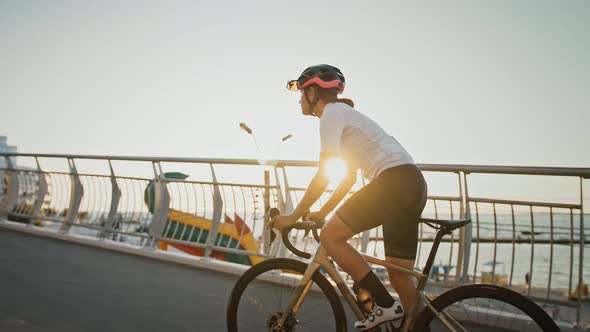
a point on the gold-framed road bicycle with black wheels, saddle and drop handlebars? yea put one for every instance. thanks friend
(494, 307)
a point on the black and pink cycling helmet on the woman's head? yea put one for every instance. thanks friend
(326, 76)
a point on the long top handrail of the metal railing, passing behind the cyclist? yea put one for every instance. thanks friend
(522, 170)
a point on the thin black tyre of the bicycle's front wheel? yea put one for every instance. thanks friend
(281, 264)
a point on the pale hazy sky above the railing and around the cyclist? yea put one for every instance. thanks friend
(455, 82)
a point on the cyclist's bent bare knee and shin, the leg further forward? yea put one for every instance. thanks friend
(334, 237)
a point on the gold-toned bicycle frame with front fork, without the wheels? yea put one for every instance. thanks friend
(321, 260)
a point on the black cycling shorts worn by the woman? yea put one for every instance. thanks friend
(395, 199)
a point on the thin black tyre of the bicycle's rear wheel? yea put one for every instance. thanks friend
(489, 292)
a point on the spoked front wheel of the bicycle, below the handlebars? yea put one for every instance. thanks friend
(264, 291)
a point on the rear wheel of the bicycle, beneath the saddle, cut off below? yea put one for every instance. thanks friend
(486, 308)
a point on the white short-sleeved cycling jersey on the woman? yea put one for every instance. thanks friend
(360, 141)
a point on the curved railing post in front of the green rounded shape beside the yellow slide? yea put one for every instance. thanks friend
(161, 206)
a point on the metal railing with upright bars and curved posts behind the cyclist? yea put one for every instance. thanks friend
(536, 247)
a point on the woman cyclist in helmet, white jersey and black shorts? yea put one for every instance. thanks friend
(394, 197)
